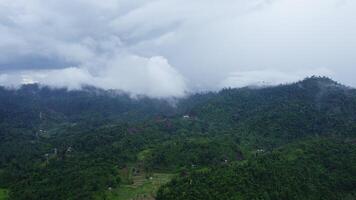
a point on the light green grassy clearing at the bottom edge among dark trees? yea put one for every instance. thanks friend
(142, 188)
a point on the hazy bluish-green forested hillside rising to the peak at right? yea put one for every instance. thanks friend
(276, 115)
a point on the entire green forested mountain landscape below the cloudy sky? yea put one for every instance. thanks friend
(247, 143)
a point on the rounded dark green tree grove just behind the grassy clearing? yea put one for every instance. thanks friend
(193, 153)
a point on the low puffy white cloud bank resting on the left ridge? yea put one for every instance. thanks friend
(153, 77)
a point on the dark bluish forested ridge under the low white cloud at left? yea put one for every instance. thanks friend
(31, 102)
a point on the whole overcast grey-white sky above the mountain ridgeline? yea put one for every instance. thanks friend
(165, 48)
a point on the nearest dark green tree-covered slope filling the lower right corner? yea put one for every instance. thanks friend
(311, 170)
